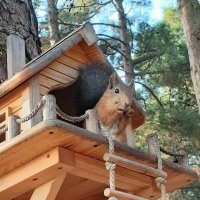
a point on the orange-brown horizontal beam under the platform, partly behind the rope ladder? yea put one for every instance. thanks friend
(94, 170)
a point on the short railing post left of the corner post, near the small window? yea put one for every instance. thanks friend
(13, 127)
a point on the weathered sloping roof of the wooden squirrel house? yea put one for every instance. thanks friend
(84, 34)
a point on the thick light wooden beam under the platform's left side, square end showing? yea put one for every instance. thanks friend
(36, 172)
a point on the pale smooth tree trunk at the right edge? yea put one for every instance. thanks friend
(190, 19)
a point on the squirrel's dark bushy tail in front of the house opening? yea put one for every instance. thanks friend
(91, 84)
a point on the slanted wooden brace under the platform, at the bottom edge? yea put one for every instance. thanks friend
(49, 190)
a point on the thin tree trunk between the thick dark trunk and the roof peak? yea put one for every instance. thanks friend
(53, 22)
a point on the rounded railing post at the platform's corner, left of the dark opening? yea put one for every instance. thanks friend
(49, 110)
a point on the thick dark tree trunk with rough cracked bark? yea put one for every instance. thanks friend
(18, 17)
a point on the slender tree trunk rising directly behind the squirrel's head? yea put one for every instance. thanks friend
(125, 42)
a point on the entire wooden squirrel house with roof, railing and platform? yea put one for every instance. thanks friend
(45, 158)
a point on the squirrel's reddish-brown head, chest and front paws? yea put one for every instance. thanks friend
(115, 107)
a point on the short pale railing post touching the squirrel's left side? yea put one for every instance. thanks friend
(91, 122)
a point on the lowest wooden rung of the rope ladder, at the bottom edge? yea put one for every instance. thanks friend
(119, 194)
